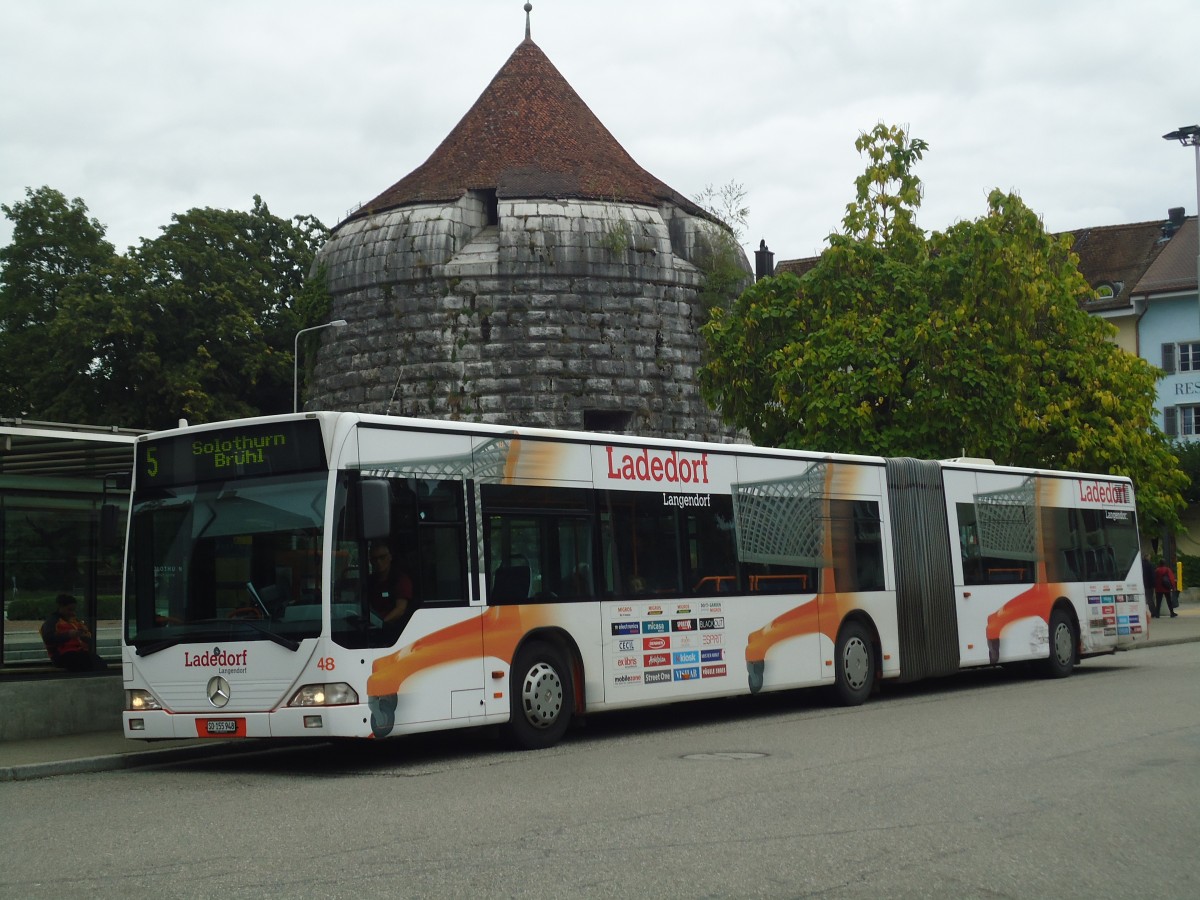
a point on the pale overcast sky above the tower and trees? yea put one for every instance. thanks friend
(147, 109)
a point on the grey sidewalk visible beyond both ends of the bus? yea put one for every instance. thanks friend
(107, 751)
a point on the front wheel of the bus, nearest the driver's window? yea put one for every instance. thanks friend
(542, 697)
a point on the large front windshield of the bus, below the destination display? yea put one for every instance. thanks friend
(237, 560)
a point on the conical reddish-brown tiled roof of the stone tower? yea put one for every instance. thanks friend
(530, 135)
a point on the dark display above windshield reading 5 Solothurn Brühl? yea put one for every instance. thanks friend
(243, 452)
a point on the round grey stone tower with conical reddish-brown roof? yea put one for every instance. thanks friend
(529, 273)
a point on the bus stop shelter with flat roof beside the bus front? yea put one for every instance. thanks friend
(55, 482)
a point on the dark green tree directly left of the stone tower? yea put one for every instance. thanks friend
(196, 323)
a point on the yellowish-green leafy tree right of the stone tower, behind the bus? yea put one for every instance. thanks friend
(965, 343)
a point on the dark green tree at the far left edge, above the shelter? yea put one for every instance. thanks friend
(56, 248)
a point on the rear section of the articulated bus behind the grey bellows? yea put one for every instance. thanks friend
(1048, 567)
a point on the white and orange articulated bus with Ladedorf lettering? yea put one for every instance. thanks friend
(556, 574)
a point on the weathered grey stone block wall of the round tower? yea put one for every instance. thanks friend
(562, 309)
